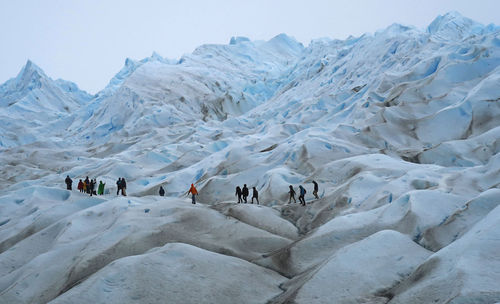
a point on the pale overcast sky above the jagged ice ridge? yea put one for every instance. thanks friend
(88, 41)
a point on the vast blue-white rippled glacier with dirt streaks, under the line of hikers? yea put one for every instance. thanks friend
(400, 129)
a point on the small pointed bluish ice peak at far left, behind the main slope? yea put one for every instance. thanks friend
(30, 102)
